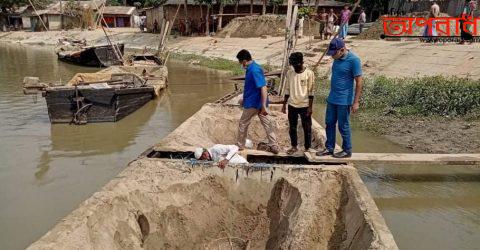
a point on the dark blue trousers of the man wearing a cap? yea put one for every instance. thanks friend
(338, 114)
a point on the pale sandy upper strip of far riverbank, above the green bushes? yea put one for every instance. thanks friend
(393, 59)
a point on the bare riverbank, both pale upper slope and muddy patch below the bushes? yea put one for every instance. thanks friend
(432, 134)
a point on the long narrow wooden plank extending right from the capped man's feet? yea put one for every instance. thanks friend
(394, 158)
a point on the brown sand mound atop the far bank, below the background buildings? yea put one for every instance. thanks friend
(267, 25)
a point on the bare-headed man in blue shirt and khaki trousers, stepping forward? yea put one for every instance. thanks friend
(254, 102)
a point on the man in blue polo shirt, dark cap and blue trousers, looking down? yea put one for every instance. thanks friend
(346, 70)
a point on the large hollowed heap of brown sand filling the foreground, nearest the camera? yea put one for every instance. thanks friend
(157, 204)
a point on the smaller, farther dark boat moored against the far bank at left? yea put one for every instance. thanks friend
(94, 56)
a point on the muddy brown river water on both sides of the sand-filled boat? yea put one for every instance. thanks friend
(47, 170)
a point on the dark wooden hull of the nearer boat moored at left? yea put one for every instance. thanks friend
(101, 105)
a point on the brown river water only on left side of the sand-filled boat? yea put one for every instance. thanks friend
(47, 170)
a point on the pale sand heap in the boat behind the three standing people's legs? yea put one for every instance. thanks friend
(217, 124)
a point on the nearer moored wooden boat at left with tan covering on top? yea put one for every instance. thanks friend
(93, 97)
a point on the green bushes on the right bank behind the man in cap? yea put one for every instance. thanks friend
(425, 96)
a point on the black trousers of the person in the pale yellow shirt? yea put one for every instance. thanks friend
(293, 114)
